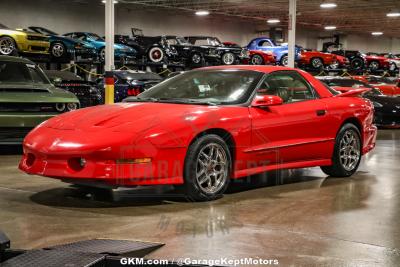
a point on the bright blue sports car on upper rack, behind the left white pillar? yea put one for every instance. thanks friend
(121, 51)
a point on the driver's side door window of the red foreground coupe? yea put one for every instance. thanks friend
(288, 85)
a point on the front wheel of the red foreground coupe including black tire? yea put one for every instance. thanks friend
(207, 168)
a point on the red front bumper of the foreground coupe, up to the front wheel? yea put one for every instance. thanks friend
(55, 153)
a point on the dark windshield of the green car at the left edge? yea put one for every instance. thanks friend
(18, 72)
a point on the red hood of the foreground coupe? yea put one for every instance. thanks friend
(119, 118)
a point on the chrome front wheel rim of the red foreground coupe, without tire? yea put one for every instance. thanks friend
(211, 168)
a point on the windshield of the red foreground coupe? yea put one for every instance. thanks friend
(206, 86)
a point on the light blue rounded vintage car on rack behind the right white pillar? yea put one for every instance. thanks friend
(268, 45)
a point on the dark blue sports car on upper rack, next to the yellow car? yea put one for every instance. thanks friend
(63, 48)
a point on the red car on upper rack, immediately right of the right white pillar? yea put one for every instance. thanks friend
(318, 60)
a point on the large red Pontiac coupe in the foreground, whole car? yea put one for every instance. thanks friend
(204, 127)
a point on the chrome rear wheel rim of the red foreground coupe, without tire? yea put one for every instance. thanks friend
(350, 147)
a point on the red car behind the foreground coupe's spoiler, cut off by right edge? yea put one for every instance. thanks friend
(384, 84)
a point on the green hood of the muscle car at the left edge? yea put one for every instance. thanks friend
(28, 92)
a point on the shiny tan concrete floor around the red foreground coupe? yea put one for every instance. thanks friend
(301, 218)
